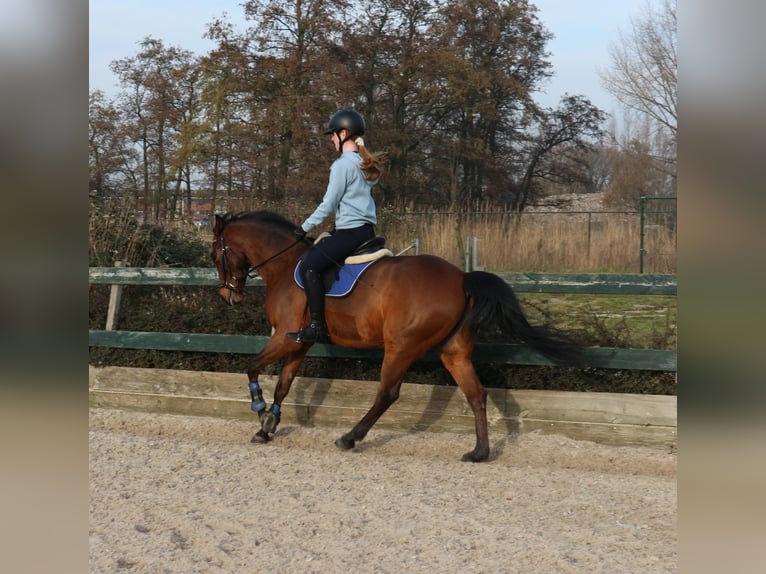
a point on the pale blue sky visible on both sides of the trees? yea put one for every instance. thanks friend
(583, 30)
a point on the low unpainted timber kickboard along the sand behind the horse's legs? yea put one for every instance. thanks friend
(609, 418)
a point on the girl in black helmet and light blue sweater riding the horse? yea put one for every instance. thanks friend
(349, 196)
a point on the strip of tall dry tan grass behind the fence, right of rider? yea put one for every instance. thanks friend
(599, 242)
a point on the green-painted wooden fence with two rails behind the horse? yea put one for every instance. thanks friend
(605, 358)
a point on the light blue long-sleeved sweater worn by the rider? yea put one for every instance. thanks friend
(348, 195)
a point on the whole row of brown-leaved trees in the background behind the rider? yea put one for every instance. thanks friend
(445, 89)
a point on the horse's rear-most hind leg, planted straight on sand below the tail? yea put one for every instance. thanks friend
(458, 363)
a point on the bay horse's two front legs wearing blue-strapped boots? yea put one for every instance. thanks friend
(270, 418)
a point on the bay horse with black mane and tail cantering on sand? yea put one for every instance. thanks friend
(406, 305)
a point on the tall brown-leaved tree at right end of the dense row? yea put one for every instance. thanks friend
(498, 59)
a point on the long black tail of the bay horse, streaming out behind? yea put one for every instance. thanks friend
(495, 303)
